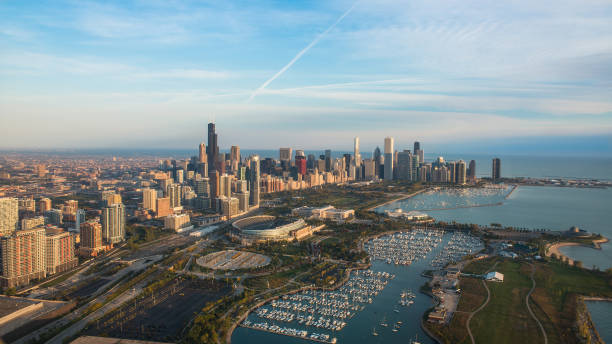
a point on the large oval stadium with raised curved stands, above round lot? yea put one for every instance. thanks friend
(264, 228)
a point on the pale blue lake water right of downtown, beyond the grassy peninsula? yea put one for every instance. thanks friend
(530, 207)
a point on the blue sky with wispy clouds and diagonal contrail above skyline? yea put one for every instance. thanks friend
(452, 74)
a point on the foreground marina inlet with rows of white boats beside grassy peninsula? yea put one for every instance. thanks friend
(380, 301)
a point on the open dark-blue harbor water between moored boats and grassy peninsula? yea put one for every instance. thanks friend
(359, 328)
